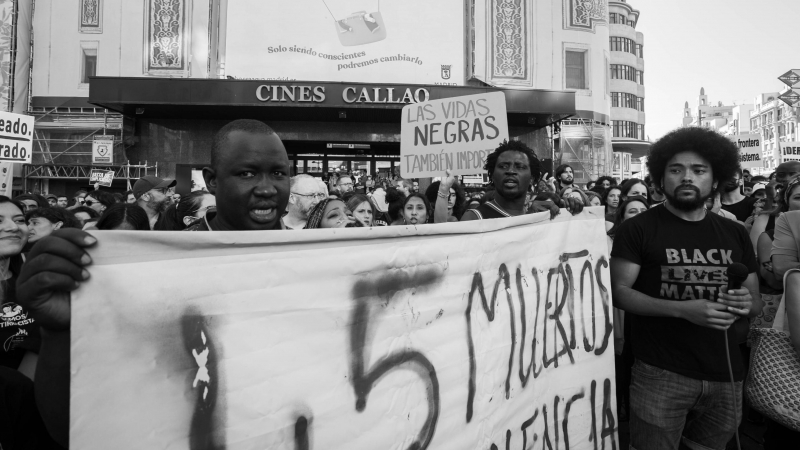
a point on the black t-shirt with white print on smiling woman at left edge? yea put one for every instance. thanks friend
(18, 333)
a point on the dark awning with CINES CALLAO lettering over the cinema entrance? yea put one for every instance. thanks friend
(305, 100)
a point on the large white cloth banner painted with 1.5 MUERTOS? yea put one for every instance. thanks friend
(484, 334)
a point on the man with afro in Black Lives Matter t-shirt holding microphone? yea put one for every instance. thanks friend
(668, 272)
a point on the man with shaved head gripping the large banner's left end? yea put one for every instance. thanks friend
(249, 174)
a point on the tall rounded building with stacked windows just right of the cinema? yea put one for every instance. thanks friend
(629, 140)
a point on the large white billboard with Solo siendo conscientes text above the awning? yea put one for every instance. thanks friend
(369, 41)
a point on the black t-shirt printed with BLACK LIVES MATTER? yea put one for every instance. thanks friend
(683, 260)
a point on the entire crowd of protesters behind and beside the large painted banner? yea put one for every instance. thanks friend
(695, 198)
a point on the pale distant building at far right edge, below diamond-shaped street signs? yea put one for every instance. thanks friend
(776, 122)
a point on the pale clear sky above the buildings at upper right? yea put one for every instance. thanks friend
(735, 49)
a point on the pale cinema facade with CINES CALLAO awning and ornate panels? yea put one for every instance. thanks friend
(163, 77)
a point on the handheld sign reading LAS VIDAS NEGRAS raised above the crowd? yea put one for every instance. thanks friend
(455, 134)
